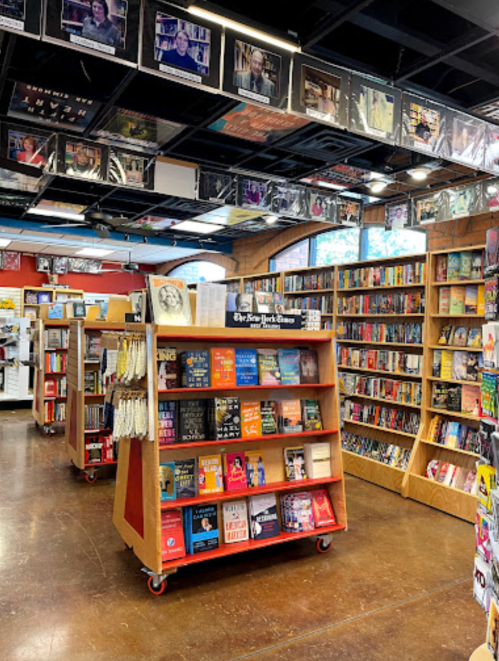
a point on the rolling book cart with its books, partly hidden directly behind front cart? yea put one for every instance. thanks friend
(91, 366)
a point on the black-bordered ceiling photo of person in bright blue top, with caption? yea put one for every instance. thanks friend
(180, 46)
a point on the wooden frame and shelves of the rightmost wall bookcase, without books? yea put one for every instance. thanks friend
(416, 485)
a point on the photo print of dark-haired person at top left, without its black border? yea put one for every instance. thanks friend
(103, 21)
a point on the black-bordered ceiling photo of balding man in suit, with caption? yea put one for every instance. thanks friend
(256, 71)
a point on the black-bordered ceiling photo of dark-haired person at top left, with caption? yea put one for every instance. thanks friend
(109, 28)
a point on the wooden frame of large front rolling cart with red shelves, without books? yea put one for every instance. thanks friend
(138, 506)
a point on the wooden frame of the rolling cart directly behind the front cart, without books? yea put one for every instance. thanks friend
(85, 409)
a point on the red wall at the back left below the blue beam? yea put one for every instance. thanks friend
(105, 283)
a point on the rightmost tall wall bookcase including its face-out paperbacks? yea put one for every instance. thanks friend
(442, 468)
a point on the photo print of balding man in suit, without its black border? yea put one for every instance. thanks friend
(256, 70)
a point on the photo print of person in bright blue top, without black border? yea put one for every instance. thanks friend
(182, 44)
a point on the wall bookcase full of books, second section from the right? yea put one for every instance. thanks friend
(364, 331)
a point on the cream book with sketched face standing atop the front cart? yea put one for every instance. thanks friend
(169, 301)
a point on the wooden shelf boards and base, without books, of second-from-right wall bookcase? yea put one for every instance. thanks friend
(389, 477)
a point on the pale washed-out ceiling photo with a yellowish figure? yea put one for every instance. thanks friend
(375, 109)
